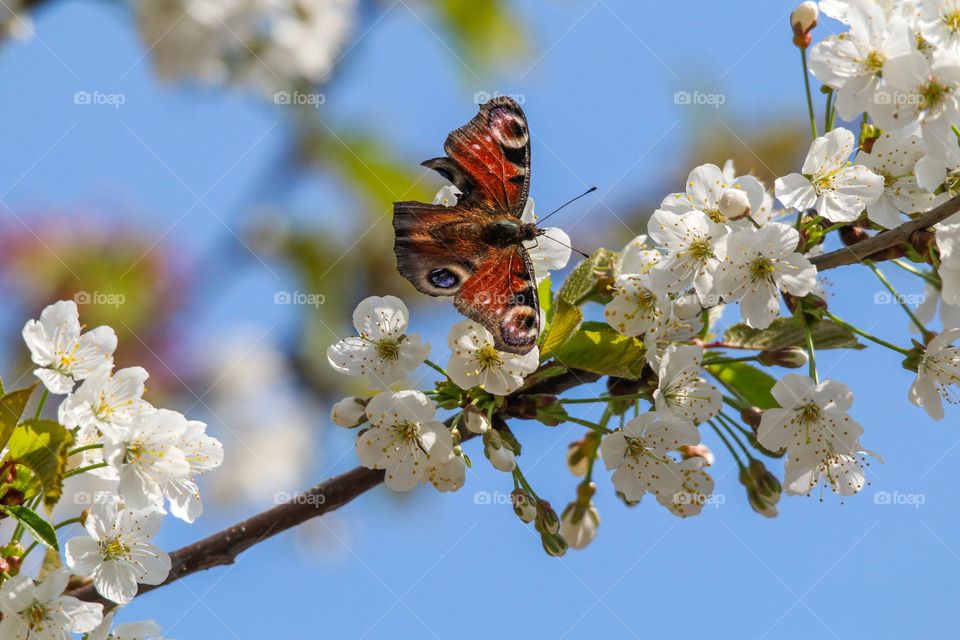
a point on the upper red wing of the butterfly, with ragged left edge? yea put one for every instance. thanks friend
(488, 159)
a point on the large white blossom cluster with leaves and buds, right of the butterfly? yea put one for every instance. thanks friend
(724, 241)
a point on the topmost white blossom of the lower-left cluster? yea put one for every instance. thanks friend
(63, 353)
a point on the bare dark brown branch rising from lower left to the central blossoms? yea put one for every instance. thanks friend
(223, 547)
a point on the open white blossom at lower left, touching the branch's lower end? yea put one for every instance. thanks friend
(117, 553)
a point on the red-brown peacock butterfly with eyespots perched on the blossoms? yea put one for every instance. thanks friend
(474, 250)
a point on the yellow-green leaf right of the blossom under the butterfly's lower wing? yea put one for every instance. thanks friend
(598, 348)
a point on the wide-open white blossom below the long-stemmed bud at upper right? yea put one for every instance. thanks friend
(828, 183)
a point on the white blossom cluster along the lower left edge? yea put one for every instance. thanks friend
(148, 460)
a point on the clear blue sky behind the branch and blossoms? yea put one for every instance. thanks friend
(598, 90)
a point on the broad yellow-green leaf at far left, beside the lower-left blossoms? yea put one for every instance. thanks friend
(41, 446)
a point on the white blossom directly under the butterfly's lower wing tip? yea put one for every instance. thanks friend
(475, 361)
